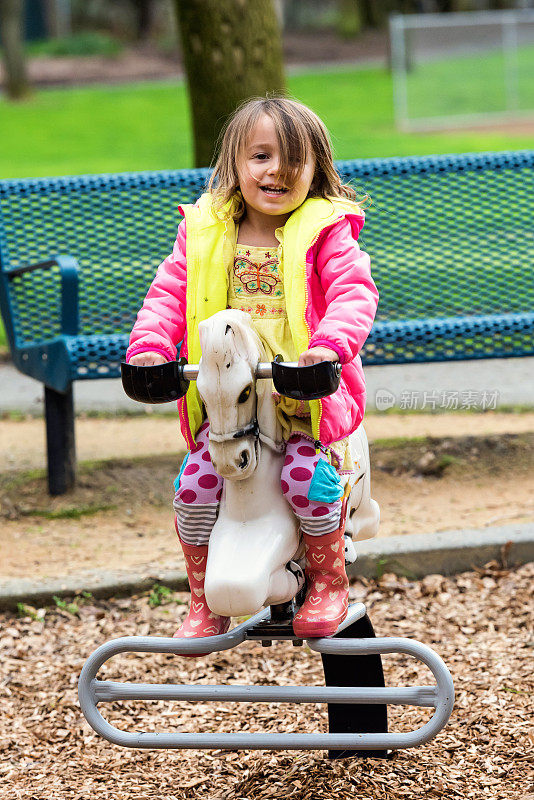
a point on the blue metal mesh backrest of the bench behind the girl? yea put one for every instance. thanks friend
(448, 236)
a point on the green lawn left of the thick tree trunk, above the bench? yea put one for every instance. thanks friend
(111, 129)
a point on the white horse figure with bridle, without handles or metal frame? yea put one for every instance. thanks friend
(255, 541)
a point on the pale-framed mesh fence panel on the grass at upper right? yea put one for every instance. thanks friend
(455, 69)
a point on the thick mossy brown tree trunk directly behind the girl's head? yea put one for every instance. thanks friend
(232, 50)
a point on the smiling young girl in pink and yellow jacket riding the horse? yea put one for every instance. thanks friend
(275, 236)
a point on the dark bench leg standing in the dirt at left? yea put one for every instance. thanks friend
(60, 442)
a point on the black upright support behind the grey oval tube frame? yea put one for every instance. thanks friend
(340, 670)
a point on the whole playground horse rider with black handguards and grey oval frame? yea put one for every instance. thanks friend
(253, 561)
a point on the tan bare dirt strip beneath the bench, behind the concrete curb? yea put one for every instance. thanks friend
(432, 473)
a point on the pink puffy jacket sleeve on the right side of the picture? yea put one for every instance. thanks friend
(351, 295)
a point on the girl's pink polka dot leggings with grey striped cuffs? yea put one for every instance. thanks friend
(199, 489)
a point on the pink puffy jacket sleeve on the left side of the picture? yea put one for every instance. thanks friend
(160, 324)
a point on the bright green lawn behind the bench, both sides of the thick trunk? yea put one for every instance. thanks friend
(147, 126)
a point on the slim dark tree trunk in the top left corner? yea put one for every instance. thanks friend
(12, 48)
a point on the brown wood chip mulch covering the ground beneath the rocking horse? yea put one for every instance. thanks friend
(479, 622)
